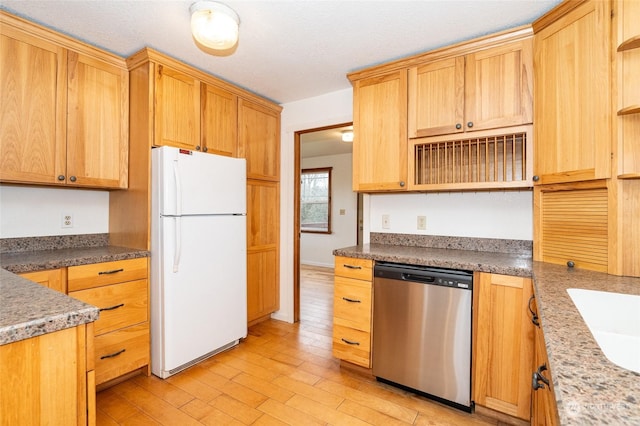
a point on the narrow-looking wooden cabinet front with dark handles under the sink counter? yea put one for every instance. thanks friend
(544, 410)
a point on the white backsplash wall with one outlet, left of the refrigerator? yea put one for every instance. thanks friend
(27, 211)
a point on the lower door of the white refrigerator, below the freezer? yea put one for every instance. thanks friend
(199, 303)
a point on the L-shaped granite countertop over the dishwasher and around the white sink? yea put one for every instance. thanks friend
(589, 389)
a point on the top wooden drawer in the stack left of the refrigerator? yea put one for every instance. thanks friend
(99, 274)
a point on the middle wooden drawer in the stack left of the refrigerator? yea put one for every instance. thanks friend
(121, 305)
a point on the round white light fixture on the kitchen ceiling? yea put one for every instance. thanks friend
(214, 25)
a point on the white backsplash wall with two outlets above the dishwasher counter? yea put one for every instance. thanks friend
(505, 215)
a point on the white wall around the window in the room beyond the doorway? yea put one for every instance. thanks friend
(316, 249)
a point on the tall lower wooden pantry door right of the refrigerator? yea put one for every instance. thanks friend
(263, 233)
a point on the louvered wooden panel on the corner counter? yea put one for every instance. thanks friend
(574, 227)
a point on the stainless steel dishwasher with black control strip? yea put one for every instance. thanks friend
(422, 330)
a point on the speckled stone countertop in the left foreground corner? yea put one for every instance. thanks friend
(28, 309)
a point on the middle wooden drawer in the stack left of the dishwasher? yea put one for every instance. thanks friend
(352, 303)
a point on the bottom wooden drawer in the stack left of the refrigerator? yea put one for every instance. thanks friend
(121, 352)
